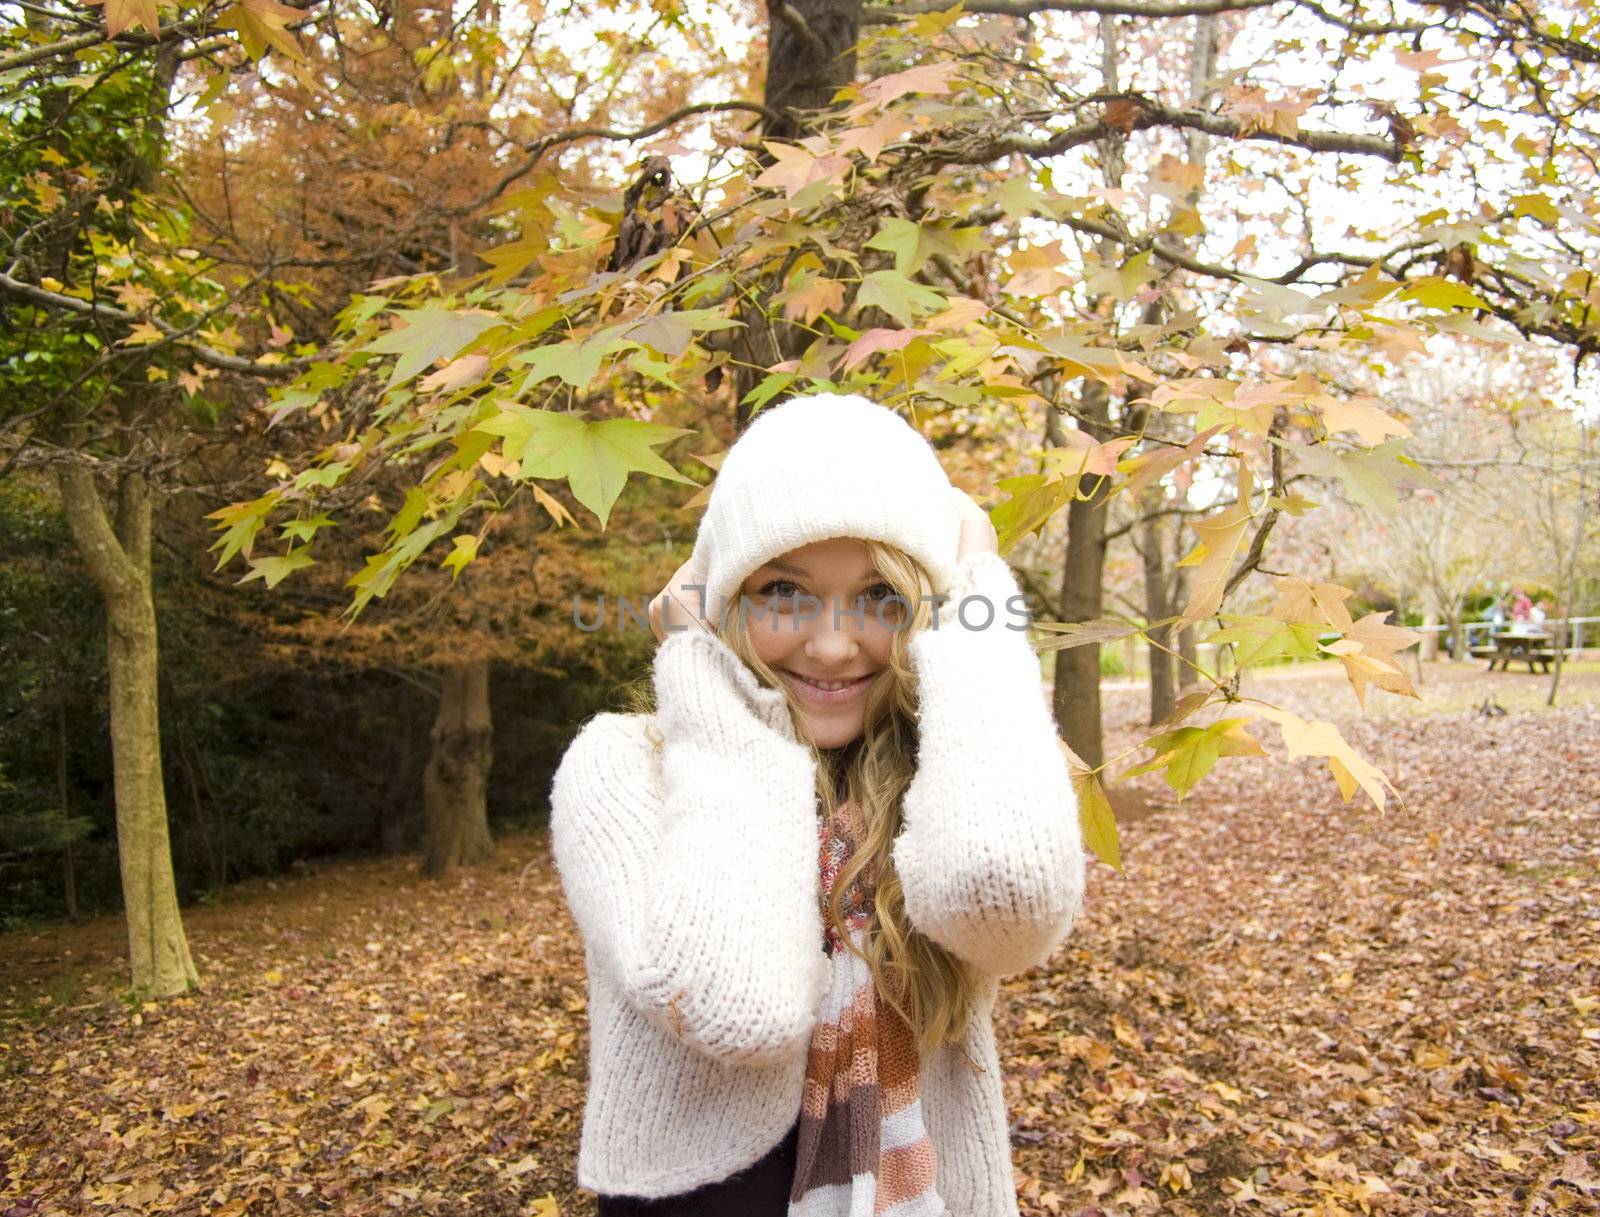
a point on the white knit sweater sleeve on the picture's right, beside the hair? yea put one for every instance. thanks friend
(991, 855)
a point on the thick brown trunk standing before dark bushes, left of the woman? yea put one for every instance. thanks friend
(455, 784)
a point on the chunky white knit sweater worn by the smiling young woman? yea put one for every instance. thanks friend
(694, 877)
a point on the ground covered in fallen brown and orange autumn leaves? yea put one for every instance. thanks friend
(1284, 1005)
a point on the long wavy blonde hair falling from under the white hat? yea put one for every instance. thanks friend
(934, 991)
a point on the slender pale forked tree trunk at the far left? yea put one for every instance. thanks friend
(121, 565)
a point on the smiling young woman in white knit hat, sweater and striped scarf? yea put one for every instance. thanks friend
(801, 879)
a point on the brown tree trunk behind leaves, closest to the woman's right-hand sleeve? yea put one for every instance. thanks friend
(1078, 703)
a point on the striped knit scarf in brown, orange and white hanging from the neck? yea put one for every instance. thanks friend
(863, 1144)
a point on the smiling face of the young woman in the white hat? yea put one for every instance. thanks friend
(823, 620)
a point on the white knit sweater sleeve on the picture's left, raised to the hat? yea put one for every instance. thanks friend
(694, 876)
